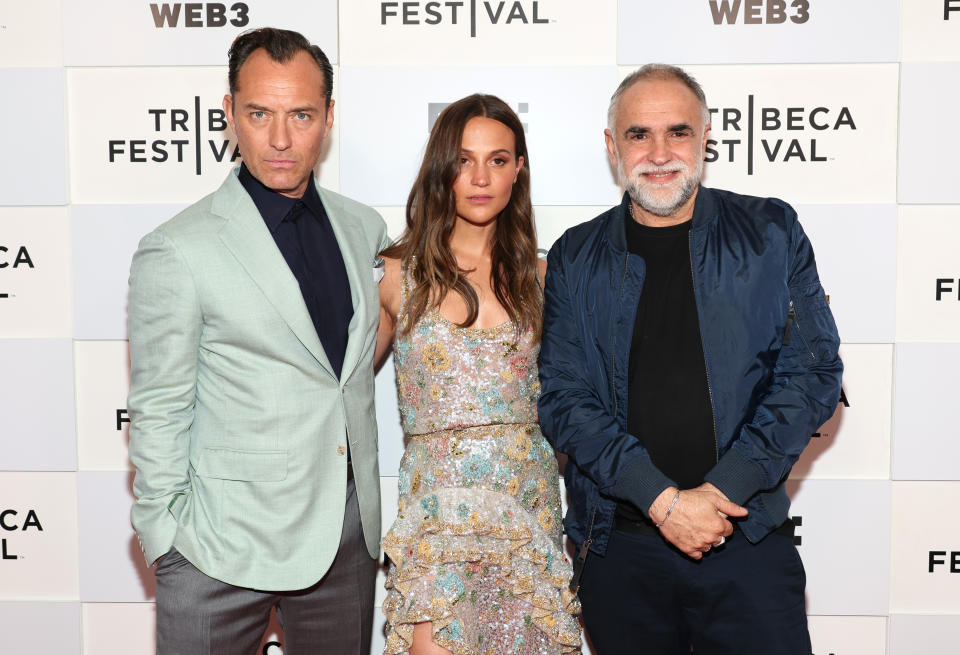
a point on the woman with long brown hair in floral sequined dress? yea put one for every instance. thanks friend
(477, 563)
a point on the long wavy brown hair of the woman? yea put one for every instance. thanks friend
(424, 248)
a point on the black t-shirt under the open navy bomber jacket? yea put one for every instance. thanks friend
(669, 408)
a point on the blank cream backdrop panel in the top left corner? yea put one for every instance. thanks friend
(31, 33)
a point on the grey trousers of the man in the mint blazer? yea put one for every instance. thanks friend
(197, 615)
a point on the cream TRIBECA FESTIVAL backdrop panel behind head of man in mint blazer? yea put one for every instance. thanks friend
(165, 134)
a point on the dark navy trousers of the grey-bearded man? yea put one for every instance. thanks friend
(646, 597)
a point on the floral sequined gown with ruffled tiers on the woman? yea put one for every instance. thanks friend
(476, 547)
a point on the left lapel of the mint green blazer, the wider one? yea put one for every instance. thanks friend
(246, 235)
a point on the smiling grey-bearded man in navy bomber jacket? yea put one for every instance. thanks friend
(688, 355)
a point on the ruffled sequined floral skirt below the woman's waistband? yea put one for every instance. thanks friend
(476, 547)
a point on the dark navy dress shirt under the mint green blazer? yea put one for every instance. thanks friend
(302, 232)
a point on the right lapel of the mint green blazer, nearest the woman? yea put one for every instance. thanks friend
(360, 273)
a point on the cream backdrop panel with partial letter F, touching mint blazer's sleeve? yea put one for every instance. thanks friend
(103, 426)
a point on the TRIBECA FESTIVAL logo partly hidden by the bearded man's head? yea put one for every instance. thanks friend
(774, 135)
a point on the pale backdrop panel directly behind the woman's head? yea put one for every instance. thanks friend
(564, 110)
